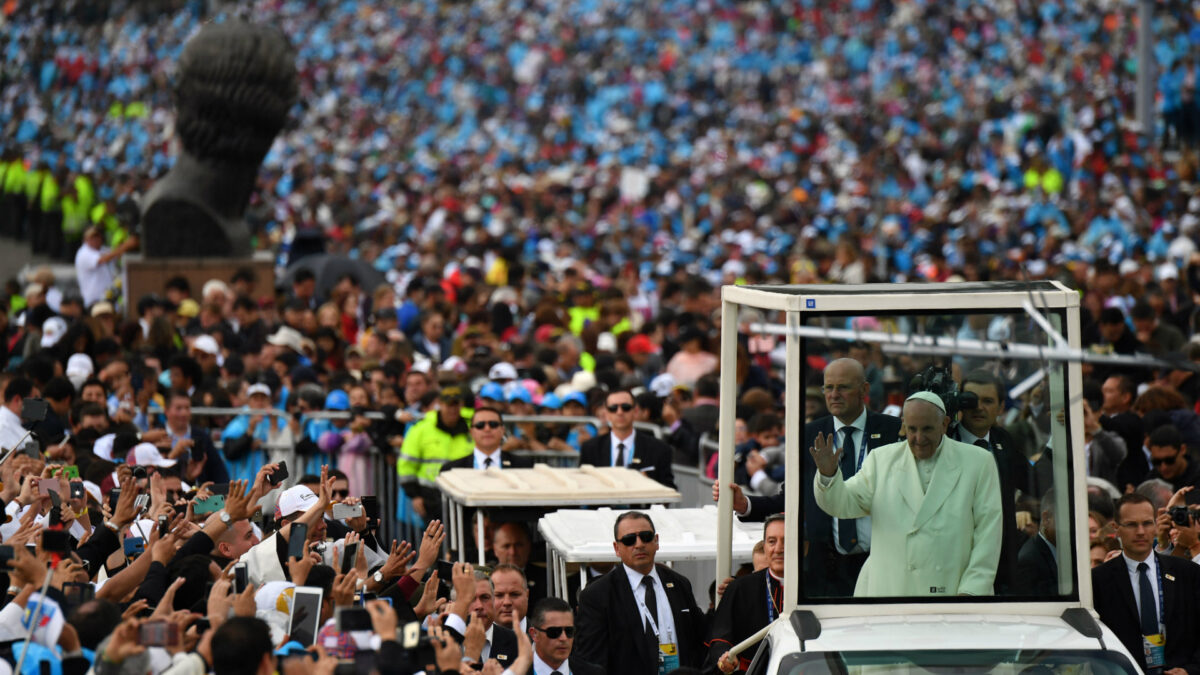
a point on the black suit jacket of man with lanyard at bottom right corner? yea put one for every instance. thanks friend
(1181, 606)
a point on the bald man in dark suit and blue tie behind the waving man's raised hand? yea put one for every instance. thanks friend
(836, 548)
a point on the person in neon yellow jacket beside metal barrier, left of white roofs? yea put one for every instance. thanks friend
(441, 437)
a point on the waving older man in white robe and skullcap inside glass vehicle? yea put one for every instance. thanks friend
(934, 504)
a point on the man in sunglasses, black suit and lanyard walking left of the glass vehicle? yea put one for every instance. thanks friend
(640, 613)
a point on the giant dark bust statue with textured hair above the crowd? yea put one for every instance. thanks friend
(236, 85)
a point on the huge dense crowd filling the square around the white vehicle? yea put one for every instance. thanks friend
(555, 194)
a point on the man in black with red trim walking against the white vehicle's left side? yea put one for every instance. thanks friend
(749, 604)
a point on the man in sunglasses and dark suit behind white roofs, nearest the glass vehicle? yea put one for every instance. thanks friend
(622, 447)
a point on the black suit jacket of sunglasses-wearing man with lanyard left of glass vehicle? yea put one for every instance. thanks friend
(611, 632)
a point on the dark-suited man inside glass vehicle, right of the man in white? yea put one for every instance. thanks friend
(979, 428)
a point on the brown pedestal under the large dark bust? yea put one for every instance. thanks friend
(149, 276)
